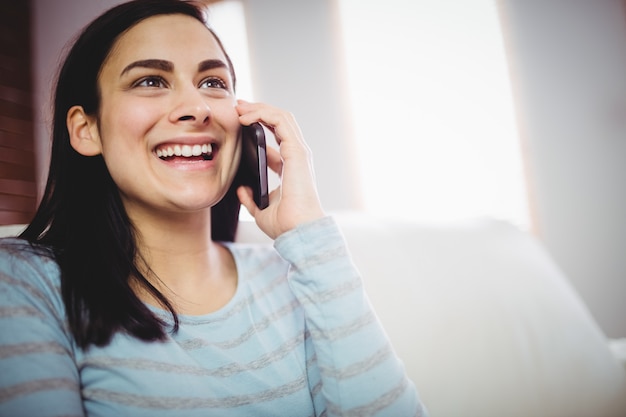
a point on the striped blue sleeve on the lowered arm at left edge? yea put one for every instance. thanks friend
(38, 375)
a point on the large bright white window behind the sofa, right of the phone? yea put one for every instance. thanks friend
(433, 110)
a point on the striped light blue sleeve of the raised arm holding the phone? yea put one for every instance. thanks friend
(360, 373)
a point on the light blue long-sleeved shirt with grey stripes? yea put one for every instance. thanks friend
(298, 338)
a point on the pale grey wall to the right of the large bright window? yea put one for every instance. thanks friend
(568, 63)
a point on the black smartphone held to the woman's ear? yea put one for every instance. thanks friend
(254, 163)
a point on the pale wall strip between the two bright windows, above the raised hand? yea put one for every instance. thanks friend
(295, 54)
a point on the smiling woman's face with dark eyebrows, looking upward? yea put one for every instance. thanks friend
(167, 123)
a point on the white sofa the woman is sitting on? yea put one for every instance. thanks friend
(484, 321)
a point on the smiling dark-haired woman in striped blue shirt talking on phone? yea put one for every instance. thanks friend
(125, 296)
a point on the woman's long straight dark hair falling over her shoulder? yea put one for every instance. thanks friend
(81, 221)
